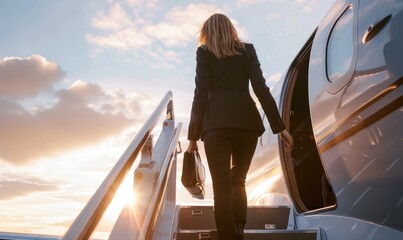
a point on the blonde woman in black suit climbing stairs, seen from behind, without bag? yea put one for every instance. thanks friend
(226, 118)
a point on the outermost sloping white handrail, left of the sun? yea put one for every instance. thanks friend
(87, 220)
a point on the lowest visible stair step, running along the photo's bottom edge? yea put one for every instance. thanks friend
(251, 235)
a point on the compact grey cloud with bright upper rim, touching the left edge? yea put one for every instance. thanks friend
(26, 77)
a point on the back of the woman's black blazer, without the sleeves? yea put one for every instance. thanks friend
(226, 82)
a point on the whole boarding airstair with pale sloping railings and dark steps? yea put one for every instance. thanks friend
(157, 216)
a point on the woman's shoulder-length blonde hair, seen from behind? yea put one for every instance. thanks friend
(220, 37)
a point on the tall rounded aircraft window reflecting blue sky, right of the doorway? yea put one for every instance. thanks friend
(340, 52)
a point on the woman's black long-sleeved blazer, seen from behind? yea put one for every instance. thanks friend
(222, 98)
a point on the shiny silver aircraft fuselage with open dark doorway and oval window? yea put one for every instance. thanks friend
(342, 100)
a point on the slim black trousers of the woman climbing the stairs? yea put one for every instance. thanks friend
(230, 200)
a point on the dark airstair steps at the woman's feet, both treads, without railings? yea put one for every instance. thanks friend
(263, 223)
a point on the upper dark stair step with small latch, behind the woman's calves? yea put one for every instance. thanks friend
(202, 217)
